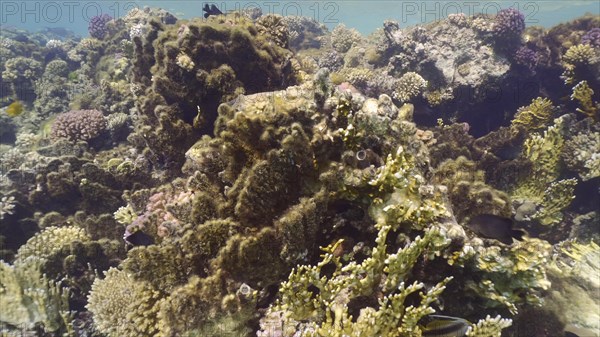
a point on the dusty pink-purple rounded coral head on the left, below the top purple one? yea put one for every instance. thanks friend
(78, 125)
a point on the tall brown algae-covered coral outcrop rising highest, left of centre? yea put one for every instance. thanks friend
(244, 61)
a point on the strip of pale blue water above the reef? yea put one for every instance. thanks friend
(366, 16)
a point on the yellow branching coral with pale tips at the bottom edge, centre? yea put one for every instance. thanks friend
(327, 309)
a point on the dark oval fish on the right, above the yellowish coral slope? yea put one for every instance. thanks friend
(495, 227)
